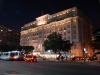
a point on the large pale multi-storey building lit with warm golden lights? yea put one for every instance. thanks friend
(70, 23)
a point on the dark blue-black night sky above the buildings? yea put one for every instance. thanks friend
(16, 13)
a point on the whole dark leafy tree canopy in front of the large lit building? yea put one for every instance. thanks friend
(55, 42)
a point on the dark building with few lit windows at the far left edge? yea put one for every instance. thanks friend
(9, 36)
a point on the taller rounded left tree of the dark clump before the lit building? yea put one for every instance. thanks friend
(54, 41)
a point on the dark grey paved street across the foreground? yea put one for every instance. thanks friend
(48, 68)
